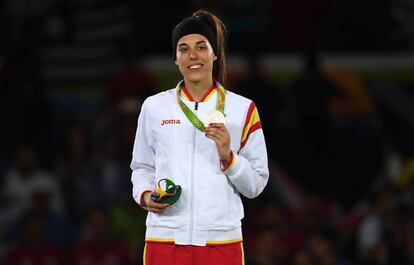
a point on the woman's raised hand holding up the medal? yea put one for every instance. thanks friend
(219, 134)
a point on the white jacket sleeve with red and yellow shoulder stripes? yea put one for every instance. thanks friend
(248, 169)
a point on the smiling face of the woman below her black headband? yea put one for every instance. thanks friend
(195, 57)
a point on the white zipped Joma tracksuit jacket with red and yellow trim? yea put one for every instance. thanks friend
(167, 145)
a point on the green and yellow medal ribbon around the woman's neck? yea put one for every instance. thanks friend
(221, 97)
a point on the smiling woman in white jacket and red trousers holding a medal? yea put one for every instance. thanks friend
(182, 135)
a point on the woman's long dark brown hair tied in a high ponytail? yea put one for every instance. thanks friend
(219, 65)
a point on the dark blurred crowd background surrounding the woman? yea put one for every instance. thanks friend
(333, 81)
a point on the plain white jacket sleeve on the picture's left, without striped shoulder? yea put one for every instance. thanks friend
(143, 156)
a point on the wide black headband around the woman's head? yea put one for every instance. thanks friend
(192, 25)
